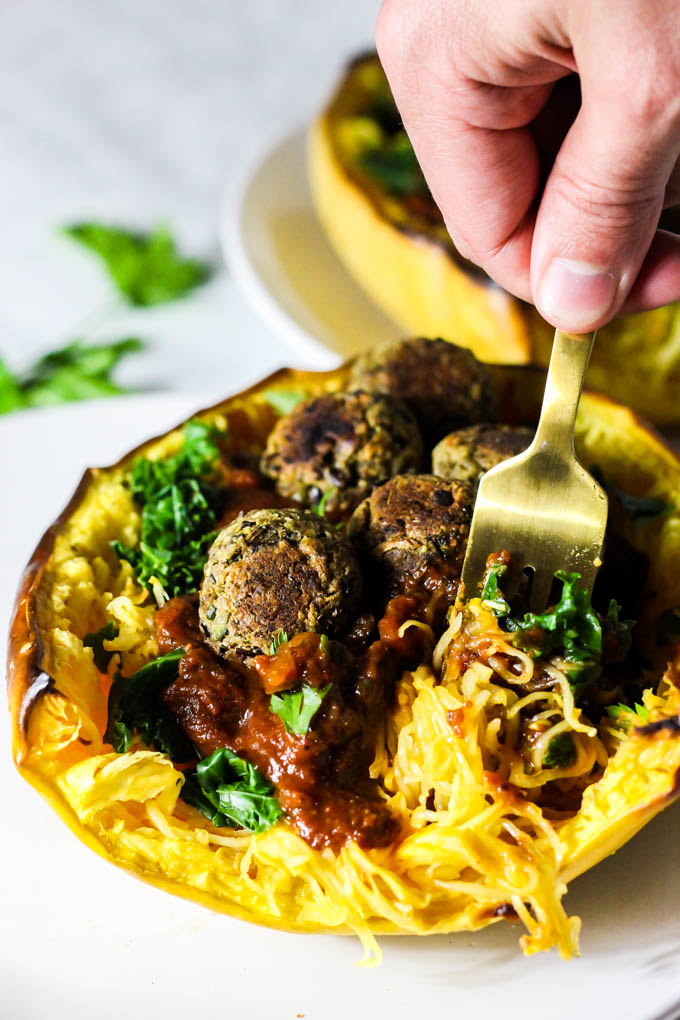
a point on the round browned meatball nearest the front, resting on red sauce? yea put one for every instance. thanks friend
(275, 571)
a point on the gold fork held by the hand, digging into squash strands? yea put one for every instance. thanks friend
(543, 506)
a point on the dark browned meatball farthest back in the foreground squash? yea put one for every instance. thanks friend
(444, 385)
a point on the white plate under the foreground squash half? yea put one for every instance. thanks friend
(81, 939)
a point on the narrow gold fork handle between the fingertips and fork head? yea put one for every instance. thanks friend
(569, 362)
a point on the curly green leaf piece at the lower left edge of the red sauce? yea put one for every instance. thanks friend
(230, 791)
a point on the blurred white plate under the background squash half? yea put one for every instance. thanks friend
(276, 248)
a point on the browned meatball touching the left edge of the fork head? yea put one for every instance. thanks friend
(414, 529)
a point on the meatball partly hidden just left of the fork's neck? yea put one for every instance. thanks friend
(467, 453)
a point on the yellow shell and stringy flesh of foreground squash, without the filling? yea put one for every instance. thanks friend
(455, 874)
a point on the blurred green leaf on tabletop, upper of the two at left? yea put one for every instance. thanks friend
(146, 268)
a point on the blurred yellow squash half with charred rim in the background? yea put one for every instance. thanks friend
(402, 256)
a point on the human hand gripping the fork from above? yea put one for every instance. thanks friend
(560, 212)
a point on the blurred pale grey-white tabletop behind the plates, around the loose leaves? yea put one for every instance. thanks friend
(140, 112)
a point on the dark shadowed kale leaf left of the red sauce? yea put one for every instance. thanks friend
(135, 706)
